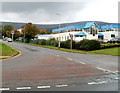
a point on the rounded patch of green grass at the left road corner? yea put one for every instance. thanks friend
(7, 50)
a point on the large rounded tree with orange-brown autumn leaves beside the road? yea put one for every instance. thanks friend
(30, 31)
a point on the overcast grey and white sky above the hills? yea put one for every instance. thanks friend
(45, 12)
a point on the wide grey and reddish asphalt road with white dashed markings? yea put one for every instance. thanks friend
(42, 69)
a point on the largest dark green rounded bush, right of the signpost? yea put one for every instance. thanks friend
(88, 44)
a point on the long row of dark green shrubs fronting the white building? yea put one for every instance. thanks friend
(82, 45)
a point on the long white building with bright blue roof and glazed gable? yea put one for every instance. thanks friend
(90, 30)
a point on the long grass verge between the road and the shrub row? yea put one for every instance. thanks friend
(109, 51)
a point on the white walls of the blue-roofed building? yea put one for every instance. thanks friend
(65, 36)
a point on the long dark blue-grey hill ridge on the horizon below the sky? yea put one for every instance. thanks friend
(49, 27)
